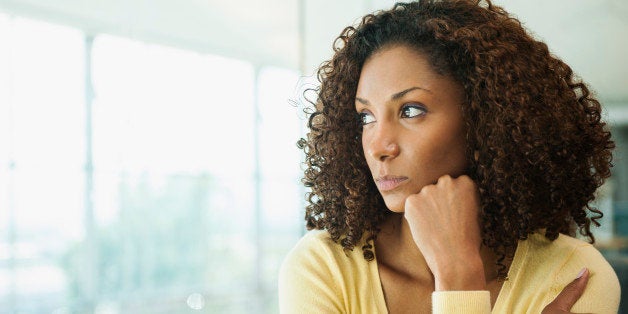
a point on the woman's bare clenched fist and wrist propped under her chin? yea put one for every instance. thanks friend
(443, 220)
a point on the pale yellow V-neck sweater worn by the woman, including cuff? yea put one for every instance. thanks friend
(318, 277)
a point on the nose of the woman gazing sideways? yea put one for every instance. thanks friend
(382, 142)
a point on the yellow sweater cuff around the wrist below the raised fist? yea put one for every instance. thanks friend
(471, 302)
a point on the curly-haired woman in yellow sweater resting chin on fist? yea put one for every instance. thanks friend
(461, 158)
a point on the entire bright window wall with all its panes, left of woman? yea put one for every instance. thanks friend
(139, 178)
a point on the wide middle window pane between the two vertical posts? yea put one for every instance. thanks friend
(174, 178)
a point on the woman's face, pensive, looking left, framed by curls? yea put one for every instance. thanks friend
(413, 132)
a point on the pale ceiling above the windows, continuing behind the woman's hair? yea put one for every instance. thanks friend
(591, 36)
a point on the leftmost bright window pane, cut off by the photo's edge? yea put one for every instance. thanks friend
(42, 158)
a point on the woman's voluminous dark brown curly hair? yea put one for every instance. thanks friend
(536, 145)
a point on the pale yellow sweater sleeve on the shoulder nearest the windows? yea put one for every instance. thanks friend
(306, 282)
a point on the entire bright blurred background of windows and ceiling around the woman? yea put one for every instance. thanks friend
(147, 148)
